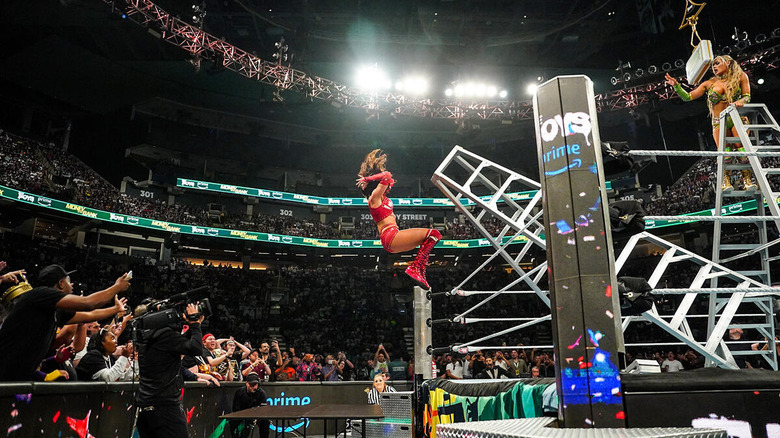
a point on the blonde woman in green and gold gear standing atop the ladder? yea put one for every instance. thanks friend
(730, 85)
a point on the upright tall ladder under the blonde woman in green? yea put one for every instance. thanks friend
(758, 124)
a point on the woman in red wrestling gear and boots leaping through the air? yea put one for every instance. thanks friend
(374, 181)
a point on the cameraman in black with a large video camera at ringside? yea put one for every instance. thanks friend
(160, 413)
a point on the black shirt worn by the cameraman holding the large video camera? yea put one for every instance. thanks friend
(159, 362)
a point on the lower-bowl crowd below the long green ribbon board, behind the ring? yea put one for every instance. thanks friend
(316, 323)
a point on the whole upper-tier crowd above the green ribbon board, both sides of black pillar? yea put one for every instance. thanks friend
(44, 169)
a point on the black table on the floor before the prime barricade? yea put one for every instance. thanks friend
(321, 412)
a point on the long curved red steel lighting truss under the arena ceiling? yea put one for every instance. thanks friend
(204, 45)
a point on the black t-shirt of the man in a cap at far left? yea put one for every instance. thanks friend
(27, 333)
